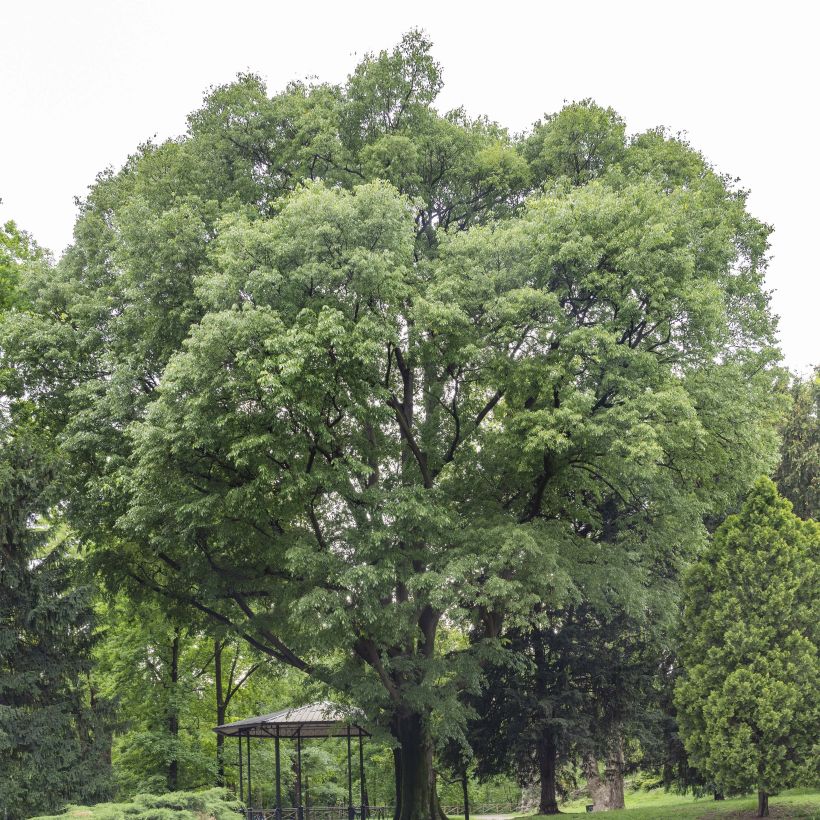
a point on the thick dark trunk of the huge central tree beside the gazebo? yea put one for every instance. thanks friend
(416, 786)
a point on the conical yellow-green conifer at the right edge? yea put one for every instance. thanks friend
(748, 691)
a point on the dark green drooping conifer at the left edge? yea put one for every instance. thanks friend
(54, 727)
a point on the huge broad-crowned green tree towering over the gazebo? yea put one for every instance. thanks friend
(335, 369)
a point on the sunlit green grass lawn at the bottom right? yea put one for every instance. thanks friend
(660, 805)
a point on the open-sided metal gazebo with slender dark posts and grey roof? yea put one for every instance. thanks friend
(318, 720)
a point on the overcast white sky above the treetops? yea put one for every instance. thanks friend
(83, 82)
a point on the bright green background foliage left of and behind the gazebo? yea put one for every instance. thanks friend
(161, 671)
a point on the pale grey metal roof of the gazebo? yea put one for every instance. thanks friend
(324, 719)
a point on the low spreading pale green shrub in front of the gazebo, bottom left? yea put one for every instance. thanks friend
(213, 804)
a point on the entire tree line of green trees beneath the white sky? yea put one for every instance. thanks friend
(433, 416)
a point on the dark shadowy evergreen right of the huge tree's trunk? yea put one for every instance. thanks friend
(575, 687)
